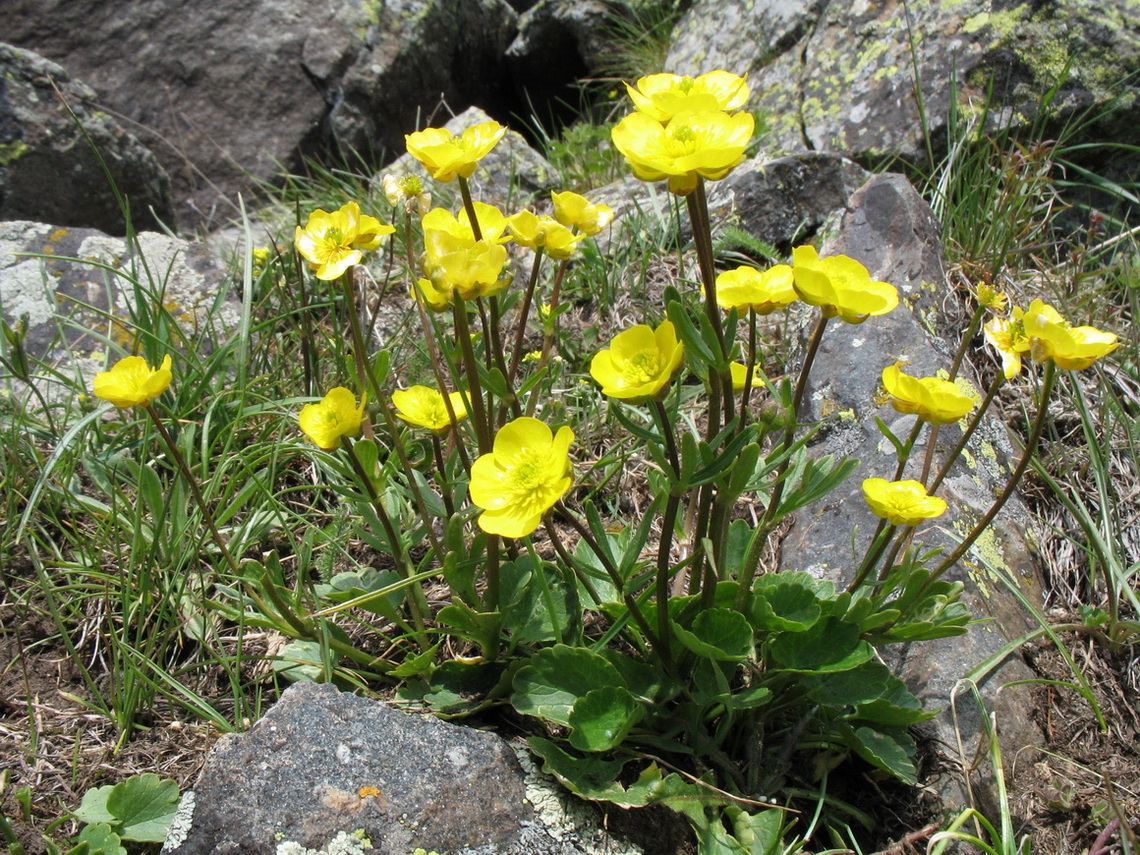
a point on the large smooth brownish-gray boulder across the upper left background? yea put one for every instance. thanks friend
(230, 93)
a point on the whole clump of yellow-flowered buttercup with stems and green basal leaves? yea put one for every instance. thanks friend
(614, 590)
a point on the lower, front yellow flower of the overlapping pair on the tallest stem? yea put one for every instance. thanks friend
(694, 145)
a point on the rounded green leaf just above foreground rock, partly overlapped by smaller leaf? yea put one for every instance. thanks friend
(557, 678)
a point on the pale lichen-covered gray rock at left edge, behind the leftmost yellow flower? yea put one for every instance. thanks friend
(76, 292)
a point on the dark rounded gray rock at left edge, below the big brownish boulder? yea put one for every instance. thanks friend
(48, 169)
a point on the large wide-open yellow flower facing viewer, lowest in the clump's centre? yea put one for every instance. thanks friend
(527, 471)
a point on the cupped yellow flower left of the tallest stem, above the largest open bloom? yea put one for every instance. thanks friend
(640, 364)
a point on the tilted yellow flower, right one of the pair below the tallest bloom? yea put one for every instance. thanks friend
(841, 287)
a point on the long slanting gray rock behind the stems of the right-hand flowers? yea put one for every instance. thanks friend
(891, 230)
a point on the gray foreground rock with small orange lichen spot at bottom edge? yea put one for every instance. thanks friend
(323, 766)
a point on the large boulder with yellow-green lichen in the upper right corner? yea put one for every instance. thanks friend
(841, 77)
